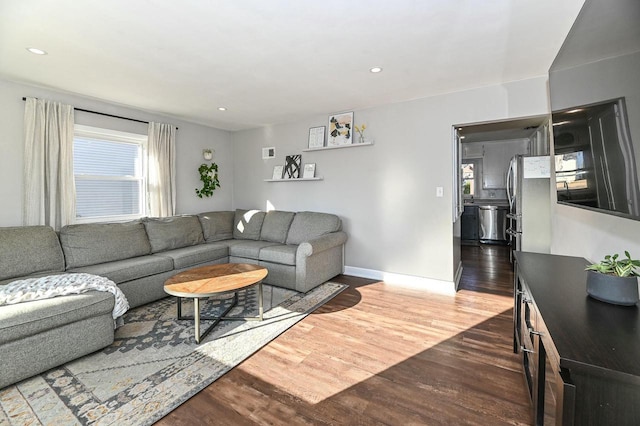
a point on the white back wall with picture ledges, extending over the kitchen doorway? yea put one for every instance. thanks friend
(385, 193)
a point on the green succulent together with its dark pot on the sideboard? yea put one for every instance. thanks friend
(614, 280)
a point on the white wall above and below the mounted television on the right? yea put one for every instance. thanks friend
(580, 232)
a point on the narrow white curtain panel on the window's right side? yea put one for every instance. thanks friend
(161, 166)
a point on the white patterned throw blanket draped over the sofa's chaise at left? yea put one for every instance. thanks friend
(59, 285)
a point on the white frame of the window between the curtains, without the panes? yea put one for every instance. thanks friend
(117, 136)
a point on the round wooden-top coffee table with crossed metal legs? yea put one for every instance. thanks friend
(213, 280)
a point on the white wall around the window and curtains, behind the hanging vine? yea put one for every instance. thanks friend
(190, 140)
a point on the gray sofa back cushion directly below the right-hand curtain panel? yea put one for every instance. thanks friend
(166, 233)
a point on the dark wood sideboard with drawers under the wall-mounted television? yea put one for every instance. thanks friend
(581, 357)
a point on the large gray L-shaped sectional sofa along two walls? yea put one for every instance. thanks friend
(300, 250)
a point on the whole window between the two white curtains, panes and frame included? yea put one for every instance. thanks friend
(109, 168)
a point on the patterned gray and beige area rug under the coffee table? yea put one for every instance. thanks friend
(154, 364)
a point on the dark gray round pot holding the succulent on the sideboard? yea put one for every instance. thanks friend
(612, 289)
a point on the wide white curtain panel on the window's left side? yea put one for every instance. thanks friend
(49, 188)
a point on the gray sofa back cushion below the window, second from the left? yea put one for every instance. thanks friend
(93, 243)
